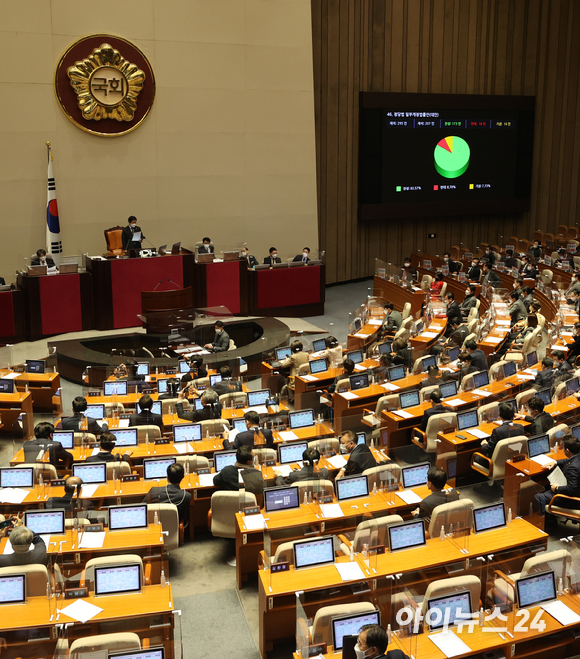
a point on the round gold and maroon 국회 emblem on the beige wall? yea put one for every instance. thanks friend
(109, 91)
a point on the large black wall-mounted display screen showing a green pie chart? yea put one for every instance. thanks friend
(444, 154)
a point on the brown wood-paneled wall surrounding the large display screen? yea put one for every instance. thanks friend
(521, 47)
